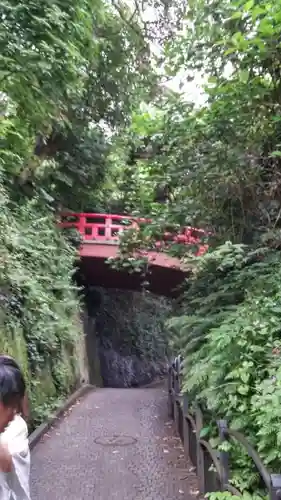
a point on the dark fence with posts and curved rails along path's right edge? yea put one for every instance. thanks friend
(213, 468)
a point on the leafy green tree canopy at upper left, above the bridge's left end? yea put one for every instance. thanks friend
(64, 92)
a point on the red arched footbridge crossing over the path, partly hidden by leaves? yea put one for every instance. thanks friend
(100, 241)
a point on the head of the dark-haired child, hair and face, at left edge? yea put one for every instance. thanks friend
(12, 390)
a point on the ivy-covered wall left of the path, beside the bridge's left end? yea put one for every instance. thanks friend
(38, 303)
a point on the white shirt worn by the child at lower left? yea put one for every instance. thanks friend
(14, 485)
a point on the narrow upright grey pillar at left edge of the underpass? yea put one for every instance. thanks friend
(92, 350)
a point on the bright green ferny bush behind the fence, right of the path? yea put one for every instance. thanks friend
(229, 333)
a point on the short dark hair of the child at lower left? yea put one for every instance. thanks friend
(12, 384)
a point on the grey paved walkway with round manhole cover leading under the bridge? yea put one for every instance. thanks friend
(113, 444)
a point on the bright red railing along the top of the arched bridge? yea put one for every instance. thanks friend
(107, 228)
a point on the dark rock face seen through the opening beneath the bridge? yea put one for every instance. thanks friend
(128, 342)
